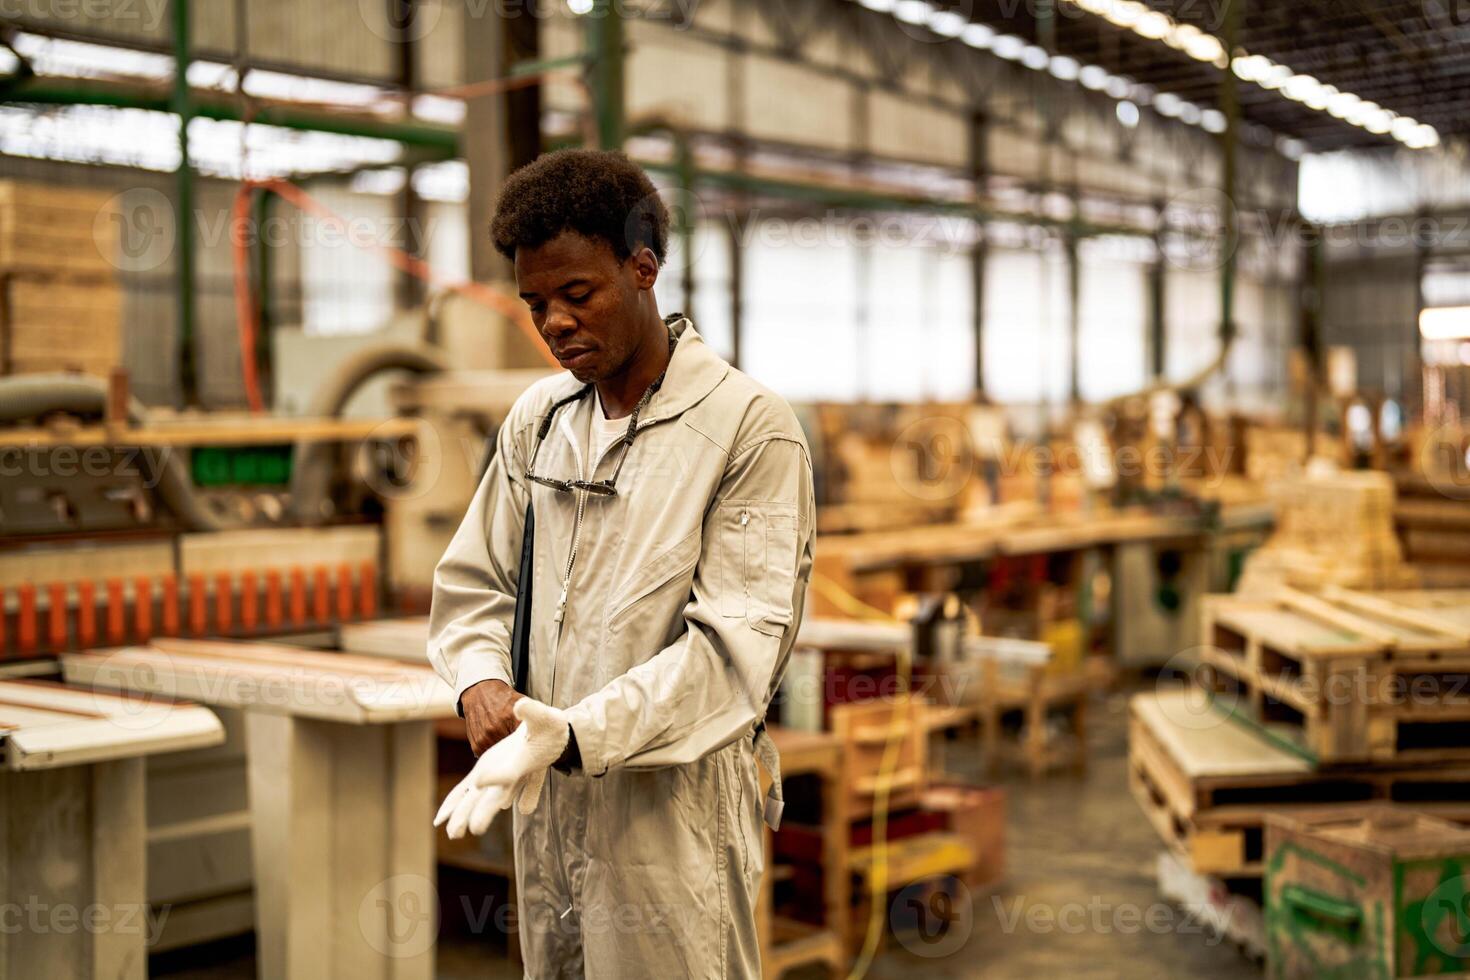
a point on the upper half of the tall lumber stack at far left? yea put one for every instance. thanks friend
(57, 230)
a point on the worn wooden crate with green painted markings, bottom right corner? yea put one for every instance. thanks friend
(1366, 893)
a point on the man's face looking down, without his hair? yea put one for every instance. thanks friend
(586, 303)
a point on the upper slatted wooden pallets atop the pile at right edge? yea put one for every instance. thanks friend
(1347, 677)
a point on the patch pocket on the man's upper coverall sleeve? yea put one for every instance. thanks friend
(758, 563)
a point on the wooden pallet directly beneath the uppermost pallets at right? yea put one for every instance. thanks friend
(1208, 787)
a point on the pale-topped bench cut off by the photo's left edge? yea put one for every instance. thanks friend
(73, 825)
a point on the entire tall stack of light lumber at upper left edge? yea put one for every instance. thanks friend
(61, 308)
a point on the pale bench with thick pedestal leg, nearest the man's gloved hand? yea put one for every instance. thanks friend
(340, 757)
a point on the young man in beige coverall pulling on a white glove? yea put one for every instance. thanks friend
(673, 509)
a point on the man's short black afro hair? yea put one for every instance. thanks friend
(599, 195)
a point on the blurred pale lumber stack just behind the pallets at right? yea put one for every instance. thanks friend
(1331, 530)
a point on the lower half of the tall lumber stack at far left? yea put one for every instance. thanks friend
(58, 324)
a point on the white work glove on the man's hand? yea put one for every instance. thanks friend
(514, 769)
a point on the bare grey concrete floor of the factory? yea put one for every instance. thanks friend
(1081, 859)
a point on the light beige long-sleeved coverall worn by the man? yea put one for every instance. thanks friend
(684, 597)
